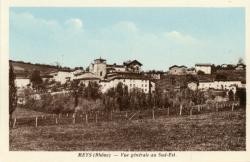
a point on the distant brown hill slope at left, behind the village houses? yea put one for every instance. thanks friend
(24, 69)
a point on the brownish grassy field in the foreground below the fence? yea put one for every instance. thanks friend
(220, 131)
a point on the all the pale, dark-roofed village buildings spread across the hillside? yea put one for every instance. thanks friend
(129, 73)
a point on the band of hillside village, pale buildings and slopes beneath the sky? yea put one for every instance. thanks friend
(201, 77)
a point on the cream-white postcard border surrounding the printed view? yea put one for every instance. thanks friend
(7, 156)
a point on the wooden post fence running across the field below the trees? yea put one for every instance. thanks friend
(102, 116)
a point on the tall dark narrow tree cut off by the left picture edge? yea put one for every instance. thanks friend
(12, 92)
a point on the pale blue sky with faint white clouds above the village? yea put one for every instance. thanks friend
(157, 37)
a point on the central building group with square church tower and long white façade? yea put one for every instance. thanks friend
(109, 75)
